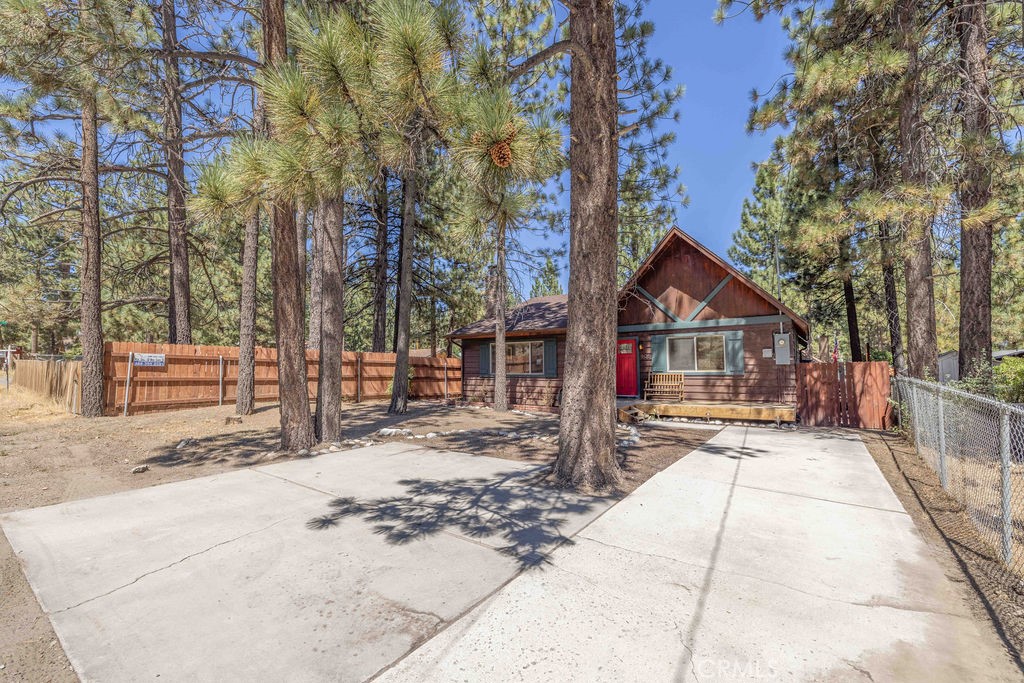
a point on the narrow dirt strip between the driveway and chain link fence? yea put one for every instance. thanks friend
(997, 596)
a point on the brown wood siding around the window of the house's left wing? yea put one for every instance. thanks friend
(525, 393)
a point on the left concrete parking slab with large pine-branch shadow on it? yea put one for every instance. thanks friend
(325, 569)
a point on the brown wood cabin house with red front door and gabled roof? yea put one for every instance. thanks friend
(686, 311)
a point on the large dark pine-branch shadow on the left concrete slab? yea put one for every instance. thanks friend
(513, 513)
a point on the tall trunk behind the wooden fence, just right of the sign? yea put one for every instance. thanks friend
(180, 318)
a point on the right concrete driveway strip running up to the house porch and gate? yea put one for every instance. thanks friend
(763, 556)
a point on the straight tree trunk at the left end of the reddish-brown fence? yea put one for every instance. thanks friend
(90, 283)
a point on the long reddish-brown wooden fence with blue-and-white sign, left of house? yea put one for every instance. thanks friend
(169, 377)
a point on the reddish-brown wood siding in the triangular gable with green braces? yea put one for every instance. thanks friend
(681, 279)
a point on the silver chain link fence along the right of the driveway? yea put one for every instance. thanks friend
(976, 447)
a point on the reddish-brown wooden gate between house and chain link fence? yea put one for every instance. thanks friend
(844, 395)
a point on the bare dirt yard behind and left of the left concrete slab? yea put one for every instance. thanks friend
(49, 457)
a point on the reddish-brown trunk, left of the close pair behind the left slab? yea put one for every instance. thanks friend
(289, 281)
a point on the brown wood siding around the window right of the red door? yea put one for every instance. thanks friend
(762, 379)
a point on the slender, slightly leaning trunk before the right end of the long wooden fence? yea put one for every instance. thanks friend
(400, 386)
